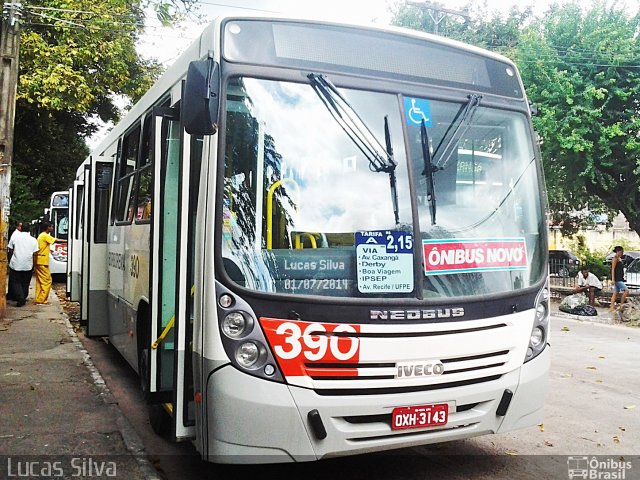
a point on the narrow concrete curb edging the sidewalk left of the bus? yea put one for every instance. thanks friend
(130, 437)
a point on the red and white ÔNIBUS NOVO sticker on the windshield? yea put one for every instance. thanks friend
(473, 255)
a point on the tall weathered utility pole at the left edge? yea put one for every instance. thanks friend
(9, 48)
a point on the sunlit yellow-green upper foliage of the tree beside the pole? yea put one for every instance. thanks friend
(80, 56)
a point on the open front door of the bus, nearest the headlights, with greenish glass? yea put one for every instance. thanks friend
(170, 372)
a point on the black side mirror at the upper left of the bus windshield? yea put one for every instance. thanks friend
(201, 98)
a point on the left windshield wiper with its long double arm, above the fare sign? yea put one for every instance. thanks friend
(380, 159)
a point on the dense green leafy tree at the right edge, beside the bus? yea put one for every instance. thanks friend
(581, 68)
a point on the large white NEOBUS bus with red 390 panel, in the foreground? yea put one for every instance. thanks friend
(314, 240)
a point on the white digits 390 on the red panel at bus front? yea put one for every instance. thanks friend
(316, 342)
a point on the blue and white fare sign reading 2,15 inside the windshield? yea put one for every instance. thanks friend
(384, 260)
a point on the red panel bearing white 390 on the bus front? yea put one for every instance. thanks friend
(298, 344)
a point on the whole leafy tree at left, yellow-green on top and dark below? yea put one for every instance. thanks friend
(76, 58)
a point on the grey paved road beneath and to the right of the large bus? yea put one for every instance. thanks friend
(593, 408)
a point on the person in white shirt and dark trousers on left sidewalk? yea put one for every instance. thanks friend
(23, 248)
